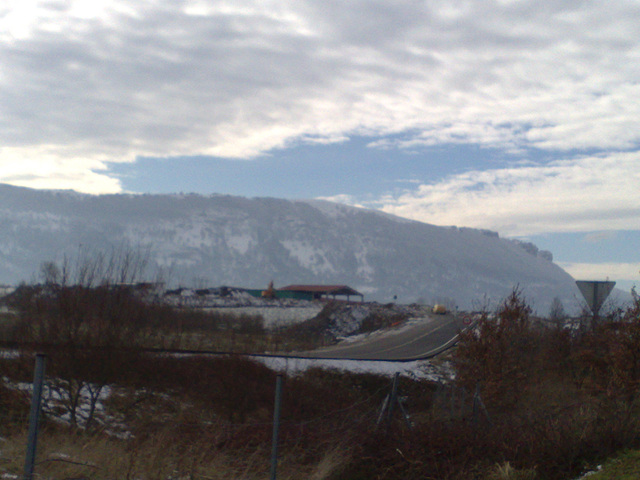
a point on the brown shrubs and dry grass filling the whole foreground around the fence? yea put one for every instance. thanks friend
(551, 401)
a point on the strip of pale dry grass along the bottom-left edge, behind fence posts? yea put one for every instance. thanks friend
(62, 455)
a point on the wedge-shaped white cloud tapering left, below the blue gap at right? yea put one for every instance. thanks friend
(595, 193)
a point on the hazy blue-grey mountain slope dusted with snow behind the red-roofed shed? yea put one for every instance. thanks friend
(225, 240)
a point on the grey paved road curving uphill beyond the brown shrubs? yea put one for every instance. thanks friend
(422, 339)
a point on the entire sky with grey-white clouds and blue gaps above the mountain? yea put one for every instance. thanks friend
(518, 116)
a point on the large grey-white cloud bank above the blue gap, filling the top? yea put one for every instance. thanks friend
(124, 79)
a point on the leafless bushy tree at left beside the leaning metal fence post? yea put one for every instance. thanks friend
(90, 317)
